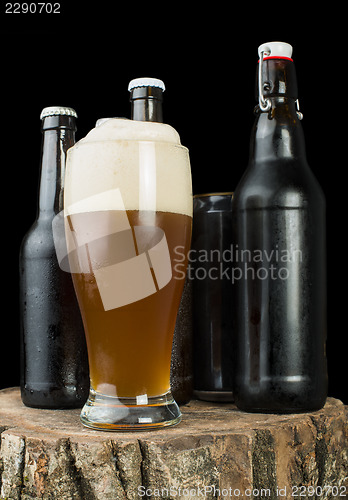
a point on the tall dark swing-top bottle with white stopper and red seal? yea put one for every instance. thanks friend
(279, 268)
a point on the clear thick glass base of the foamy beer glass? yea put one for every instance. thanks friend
(110, 413)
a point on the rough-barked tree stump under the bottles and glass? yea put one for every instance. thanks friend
(216, 451)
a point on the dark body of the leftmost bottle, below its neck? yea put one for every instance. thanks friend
(54, 371)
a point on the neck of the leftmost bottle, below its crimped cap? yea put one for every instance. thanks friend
(58, 137)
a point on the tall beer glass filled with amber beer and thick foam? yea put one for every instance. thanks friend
(128, 213)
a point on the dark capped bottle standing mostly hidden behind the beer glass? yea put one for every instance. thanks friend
(146, 97)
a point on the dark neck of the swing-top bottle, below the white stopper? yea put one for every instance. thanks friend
(277, 133)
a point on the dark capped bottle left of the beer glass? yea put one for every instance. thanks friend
(54, 365)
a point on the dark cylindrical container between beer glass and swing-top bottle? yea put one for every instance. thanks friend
(212, 296)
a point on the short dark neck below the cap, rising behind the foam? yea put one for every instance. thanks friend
(146, 104)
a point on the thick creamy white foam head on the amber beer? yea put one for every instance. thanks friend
(144, 161)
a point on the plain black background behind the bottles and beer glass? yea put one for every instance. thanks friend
(85, 56)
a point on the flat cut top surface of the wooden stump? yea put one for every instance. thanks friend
(198, 417)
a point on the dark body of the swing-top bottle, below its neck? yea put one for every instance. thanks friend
(280, 308)
